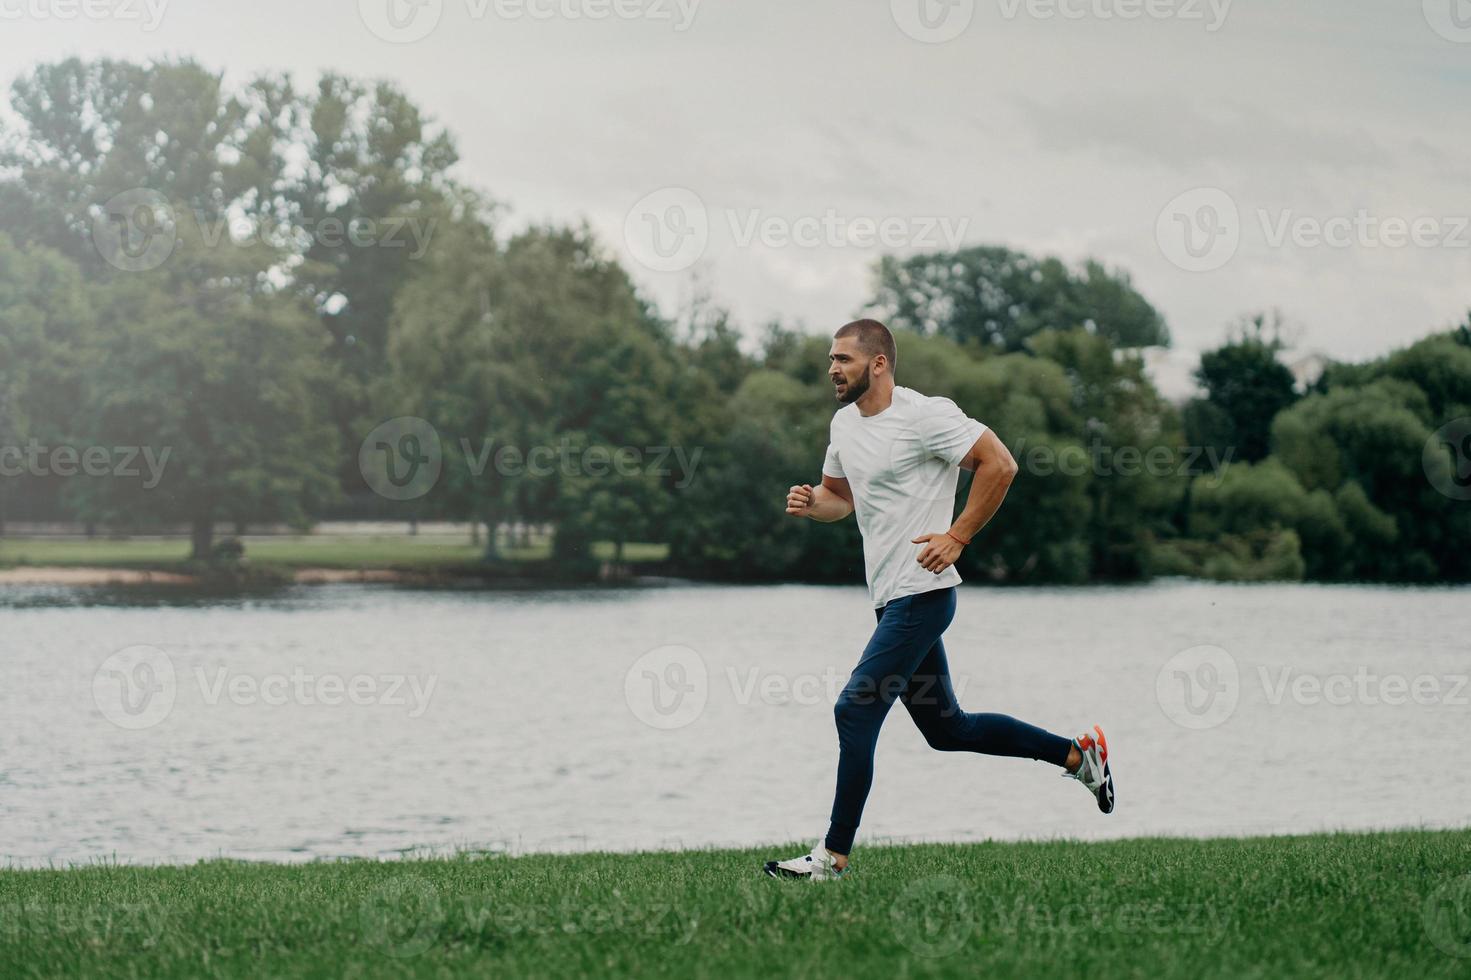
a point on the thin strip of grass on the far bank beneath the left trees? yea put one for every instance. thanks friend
(307, 551)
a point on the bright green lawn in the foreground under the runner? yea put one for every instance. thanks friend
(1344, 906)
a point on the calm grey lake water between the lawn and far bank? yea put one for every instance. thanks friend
(363, 720)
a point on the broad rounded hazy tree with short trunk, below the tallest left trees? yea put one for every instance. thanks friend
(205, 361)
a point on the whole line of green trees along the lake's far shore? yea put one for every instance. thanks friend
(251, 282)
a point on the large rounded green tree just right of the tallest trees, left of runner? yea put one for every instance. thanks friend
(538, 348)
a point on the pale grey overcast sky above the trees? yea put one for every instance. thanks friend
(1311, 155)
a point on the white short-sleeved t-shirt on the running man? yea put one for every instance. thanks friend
(902, 466)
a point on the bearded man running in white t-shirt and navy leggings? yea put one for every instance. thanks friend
(894, 458)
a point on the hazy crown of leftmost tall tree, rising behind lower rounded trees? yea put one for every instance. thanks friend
(88, 132)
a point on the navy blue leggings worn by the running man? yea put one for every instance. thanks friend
(905, 660)
